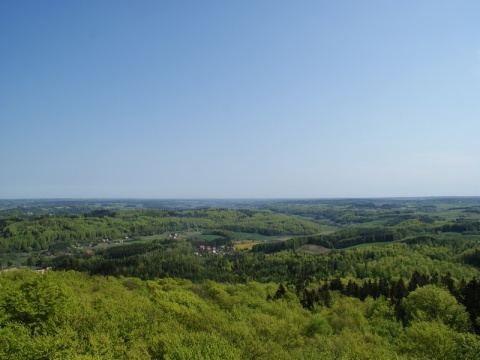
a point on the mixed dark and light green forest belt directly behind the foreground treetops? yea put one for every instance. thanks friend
(177, 259)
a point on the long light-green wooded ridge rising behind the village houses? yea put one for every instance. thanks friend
(37, 233)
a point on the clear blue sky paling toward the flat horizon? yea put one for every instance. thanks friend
(239, 99)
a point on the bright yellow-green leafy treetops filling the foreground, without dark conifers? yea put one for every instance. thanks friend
(123, 318)
